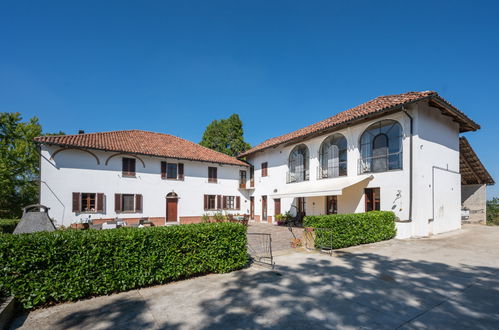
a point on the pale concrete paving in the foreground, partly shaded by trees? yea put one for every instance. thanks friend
(443, 282)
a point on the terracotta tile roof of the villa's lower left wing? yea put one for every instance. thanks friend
(143, 143)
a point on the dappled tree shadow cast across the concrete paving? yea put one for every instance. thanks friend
(352, 290)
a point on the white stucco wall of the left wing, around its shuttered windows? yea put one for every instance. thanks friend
(77, 171)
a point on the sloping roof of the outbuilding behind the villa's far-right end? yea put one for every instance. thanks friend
(470, 166)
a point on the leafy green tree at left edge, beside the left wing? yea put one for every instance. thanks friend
(19, 163)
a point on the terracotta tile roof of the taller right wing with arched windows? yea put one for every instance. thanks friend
(365, 110)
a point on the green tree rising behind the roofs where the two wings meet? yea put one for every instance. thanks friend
(225, 136)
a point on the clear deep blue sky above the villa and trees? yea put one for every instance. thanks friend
(173, 66)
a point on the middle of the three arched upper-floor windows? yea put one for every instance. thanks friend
(333, 157)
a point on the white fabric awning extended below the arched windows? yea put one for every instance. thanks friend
(325, 187)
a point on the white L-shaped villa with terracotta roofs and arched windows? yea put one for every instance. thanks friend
(397, 152)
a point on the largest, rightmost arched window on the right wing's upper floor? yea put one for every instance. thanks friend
(381, 147)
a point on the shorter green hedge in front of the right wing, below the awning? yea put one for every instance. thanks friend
(352, 229)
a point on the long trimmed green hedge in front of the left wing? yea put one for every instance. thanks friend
(44, 268)
